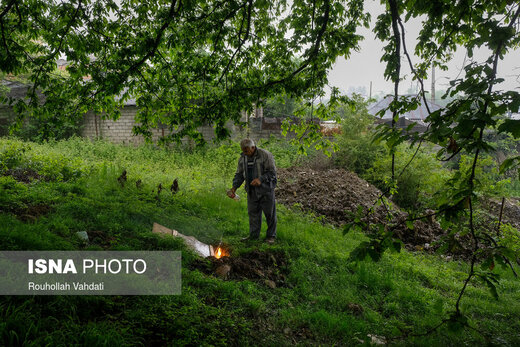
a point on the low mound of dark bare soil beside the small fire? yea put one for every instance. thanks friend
(268, 267)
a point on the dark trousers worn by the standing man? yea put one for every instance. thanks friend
(255, 205)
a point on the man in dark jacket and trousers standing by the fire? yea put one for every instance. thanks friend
(256, 167)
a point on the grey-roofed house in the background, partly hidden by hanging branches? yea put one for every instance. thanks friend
(417, 116)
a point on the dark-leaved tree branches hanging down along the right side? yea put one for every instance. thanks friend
(459, 127)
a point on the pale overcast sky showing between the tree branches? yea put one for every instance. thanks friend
(356, 73)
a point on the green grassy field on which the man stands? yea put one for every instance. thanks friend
(327, 300)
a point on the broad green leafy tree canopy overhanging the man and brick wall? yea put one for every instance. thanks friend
(186, 62)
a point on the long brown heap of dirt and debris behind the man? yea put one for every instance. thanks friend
(337, 193)
